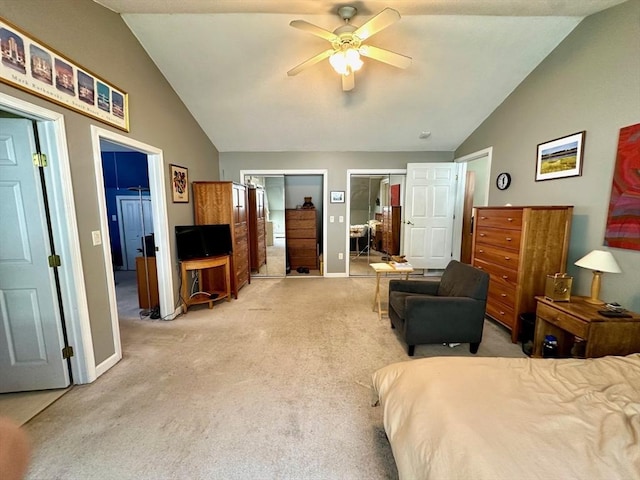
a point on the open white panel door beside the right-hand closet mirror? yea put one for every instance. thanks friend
(428, 214)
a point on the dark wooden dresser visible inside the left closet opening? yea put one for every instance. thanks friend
(302, 238)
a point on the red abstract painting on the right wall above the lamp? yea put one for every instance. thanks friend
(623, 220)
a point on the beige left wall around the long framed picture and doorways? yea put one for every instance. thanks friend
(99, 40)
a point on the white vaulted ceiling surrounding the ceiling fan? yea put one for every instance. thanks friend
(228, 61)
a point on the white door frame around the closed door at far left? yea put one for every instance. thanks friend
(53, 139)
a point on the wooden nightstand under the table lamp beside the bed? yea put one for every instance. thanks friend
(577, 318)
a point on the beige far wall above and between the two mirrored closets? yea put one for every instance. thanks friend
(337, 164)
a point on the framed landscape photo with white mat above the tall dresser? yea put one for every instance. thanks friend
(560, 158)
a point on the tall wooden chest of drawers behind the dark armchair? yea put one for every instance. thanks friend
(519, 247)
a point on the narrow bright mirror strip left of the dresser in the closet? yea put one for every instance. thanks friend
(274, 232)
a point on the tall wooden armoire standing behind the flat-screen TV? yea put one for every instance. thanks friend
(225, 203)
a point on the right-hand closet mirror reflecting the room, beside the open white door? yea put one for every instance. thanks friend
(375, 218)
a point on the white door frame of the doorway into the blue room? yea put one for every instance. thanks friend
(157, 186)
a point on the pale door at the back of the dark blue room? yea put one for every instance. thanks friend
(132, 231)
